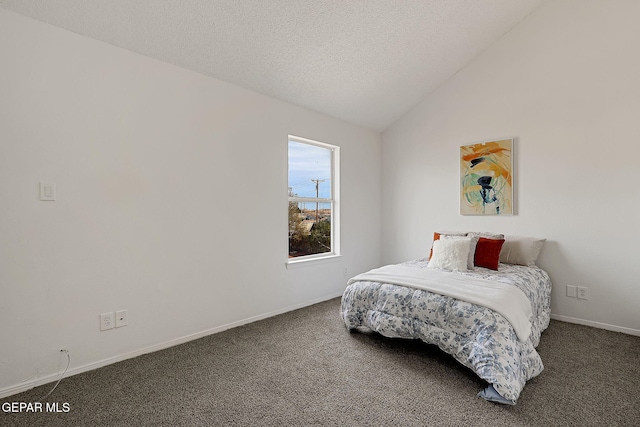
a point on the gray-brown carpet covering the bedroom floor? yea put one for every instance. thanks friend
(304, 368)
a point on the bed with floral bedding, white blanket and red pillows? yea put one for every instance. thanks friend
(489, 317)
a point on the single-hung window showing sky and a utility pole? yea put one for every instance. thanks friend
(313, 199)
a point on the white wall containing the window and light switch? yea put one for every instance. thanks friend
(171, 203)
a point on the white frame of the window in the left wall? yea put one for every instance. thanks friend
(334, 202)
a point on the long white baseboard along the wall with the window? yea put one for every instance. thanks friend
(27, 385)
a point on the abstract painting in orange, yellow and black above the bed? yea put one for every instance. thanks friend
(486, 178)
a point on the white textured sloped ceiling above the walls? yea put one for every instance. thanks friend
(364, 61)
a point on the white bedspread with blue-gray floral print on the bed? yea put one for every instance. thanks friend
(478, 337)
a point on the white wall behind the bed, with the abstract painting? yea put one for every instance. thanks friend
(565, 83)
